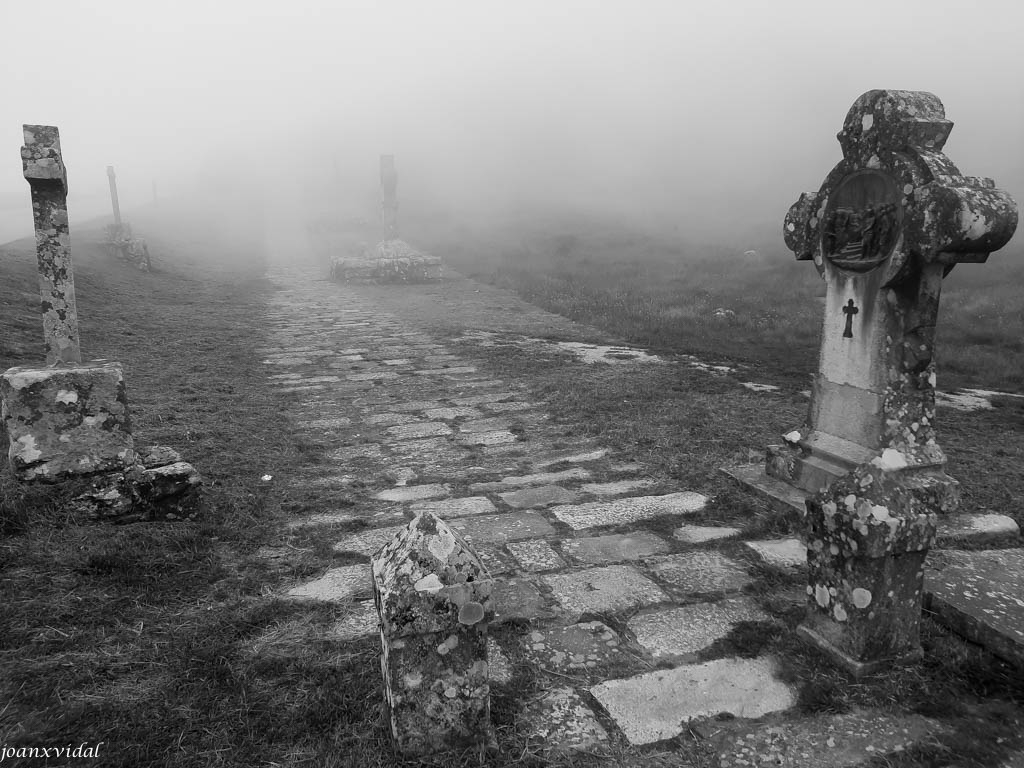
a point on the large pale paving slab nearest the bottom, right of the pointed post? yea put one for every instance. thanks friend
(659, 705)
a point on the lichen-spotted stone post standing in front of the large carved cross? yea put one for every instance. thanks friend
(868, 536)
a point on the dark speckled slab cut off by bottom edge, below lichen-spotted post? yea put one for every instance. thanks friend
(857, 739)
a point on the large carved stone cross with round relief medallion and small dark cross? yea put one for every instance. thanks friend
(893, 218)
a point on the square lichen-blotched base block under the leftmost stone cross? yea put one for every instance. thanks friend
(66, 421)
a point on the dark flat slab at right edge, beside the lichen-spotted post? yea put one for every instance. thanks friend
(980, 596)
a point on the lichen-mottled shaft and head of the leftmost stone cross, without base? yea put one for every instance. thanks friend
(46, 173)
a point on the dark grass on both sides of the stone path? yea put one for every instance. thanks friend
(164, 642)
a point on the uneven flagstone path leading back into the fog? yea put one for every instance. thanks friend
(614, 608)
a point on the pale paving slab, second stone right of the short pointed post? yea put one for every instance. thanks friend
(605, 590)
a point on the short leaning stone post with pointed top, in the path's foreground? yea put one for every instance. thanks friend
(434, 600)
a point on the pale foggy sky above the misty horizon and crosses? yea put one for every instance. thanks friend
(712, 116)
